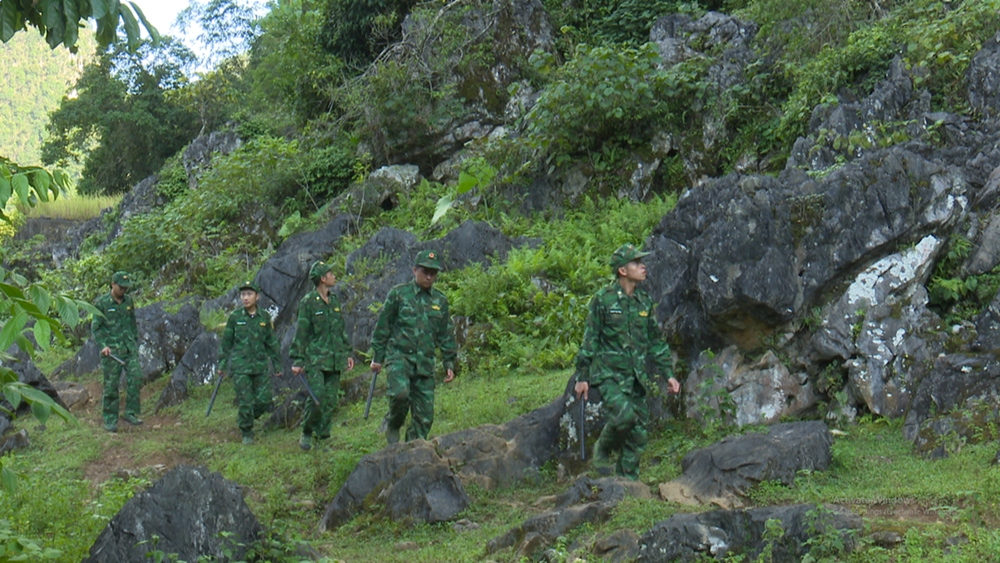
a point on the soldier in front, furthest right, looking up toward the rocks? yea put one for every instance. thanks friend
(620, 335)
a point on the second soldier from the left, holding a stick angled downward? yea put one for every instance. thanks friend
(247, 343)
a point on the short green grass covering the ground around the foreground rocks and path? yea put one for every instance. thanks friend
(71, 479)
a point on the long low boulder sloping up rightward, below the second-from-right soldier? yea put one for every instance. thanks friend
(417, 475)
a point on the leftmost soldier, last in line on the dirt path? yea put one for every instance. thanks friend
(116, 334)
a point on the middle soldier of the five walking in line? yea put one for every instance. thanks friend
(319, 352)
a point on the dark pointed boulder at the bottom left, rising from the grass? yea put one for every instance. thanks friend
(189, 514)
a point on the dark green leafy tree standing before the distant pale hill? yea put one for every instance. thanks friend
(127, 118)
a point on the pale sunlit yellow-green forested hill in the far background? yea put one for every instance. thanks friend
(33, 79)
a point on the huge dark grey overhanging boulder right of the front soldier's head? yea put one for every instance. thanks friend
(737, 260)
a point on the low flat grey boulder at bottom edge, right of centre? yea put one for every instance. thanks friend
(722, 533)
